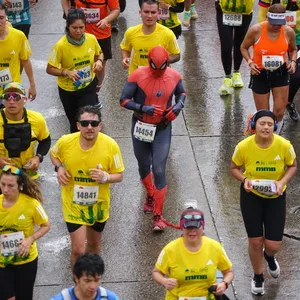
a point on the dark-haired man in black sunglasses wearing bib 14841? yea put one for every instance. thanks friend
(86, 163)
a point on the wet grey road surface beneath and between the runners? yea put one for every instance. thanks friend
(203, 140)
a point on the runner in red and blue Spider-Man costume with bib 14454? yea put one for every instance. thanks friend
(149, 93)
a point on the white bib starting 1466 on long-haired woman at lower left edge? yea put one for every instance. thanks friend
(9, 243)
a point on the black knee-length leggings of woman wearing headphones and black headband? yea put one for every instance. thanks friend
(263, 216)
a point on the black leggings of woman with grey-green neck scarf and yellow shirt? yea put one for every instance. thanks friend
(72, 101)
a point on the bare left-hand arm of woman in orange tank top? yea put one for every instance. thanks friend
(249, 40)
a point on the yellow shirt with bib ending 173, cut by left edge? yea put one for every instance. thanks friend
(14, 48)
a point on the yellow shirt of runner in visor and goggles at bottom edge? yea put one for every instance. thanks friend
(195, 271)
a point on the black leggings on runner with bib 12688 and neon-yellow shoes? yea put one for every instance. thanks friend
(232, 37)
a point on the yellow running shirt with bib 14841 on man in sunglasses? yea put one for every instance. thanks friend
(106, 155)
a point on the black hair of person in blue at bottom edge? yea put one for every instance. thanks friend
(89, 264)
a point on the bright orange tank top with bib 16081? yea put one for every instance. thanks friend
(270, 54)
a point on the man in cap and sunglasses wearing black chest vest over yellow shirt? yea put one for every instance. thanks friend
(21, 130)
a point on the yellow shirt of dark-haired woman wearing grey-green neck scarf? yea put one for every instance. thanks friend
(66, 56)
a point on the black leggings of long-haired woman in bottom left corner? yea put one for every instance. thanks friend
(18, 281)
